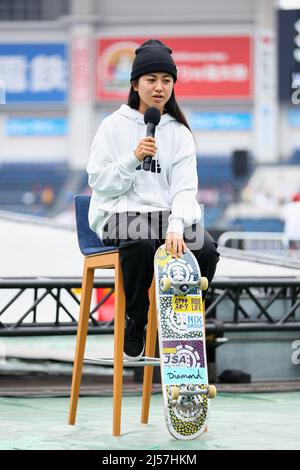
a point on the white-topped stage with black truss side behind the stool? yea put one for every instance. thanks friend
(41, 266)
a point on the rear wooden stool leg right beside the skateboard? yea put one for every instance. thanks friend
(150, 351)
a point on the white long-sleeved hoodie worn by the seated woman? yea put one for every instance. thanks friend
(118, 183)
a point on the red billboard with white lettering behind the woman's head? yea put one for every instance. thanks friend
(209, 67)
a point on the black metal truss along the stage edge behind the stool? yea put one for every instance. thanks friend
(233, 304)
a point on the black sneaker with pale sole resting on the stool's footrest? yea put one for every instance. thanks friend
(134, 344)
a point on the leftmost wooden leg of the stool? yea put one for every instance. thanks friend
(86, 294)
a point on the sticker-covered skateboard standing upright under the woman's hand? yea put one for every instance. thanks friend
(181, 333)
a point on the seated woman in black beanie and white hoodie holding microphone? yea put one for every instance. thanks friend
(138, 210)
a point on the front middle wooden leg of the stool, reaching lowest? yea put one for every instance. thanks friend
(119, 326)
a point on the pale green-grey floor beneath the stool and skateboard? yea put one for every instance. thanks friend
(238, 421)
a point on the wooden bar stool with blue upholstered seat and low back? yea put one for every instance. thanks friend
(96, 255)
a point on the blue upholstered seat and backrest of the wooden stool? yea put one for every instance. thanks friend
(89, 243)
